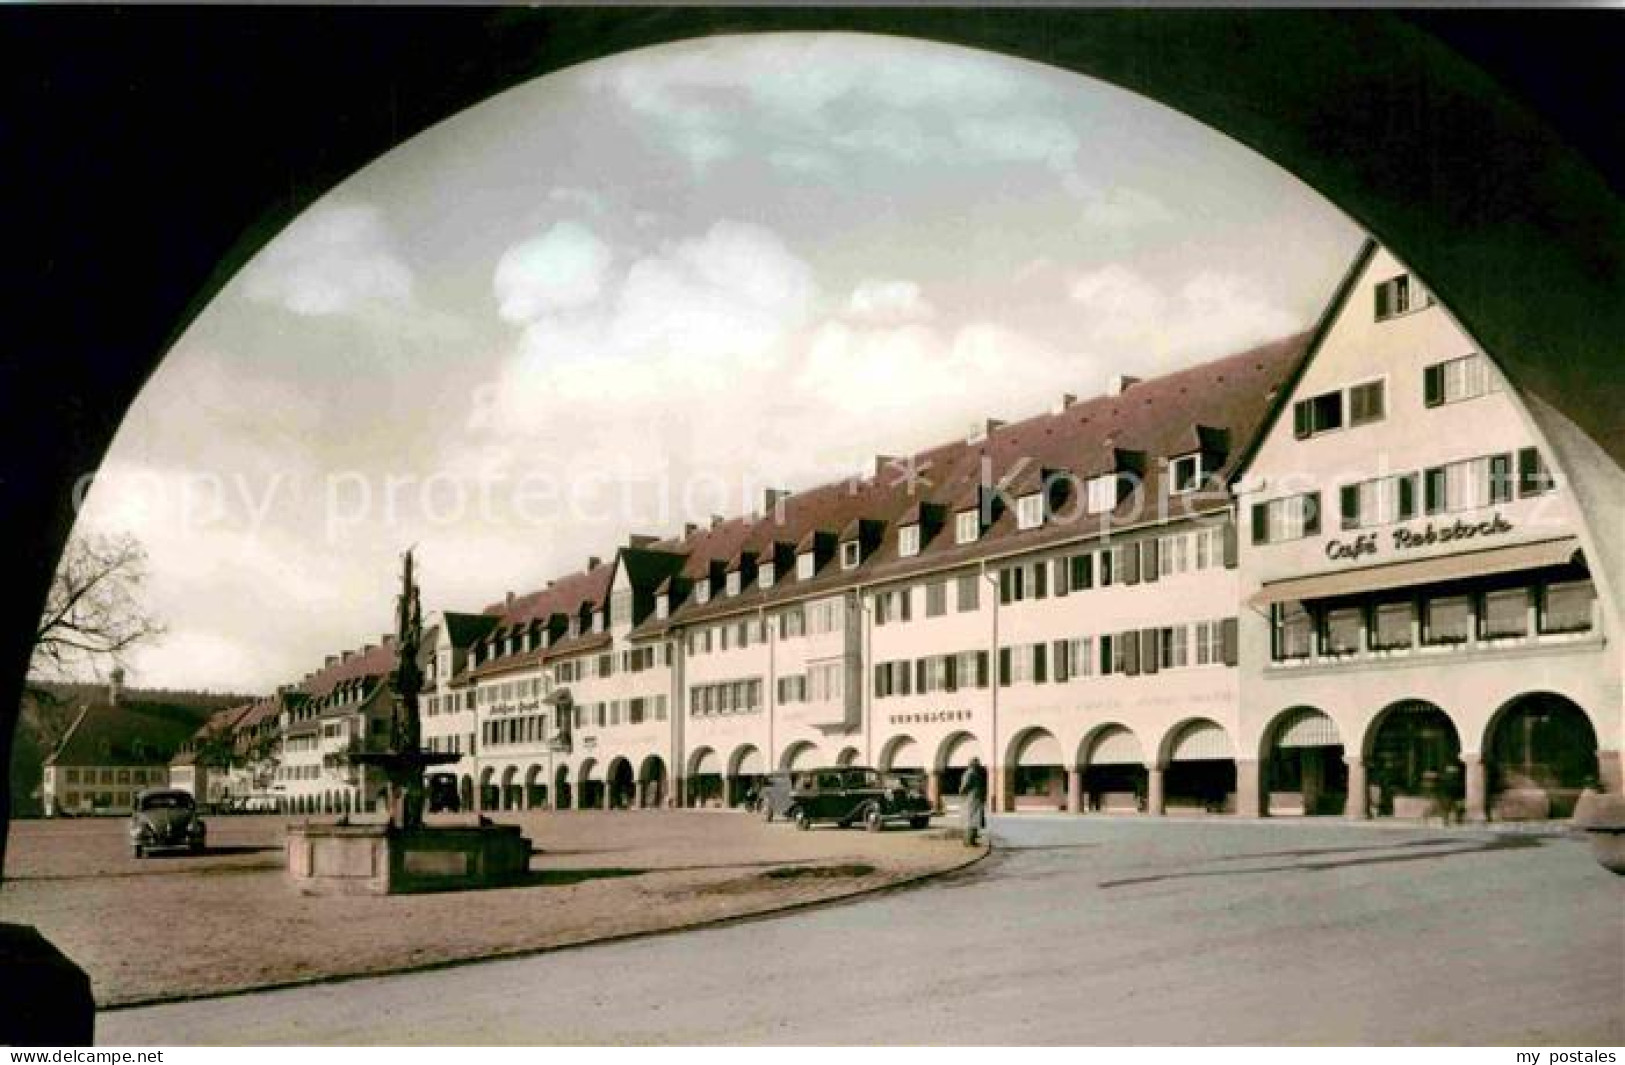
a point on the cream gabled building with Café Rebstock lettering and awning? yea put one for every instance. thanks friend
(1421, 622)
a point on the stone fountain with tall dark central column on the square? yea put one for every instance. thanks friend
(404, 854)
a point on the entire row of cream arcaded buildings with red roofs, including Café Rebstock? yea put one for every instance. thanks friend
(1338, 573)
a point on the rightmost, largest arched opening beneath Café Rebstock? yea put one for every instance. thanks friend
(1540, 754)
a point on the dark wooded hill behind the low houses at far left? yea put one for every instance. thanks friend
(53, 706)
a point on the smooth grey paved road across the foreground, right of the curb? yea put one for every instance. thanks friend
(1075, 932)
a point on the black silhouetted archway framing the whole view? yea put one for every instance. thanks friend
(160, 152)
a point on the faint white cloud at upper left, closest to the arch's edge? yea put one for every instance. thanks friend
(331, 261)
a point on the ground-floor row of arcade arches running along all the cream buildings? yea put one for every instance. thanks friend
(1536, 757)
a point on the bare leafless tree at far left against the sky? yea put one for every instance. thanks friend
(93, 614)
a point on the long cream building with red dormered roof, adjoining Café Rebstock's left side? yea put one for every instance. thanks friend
(1057, 598)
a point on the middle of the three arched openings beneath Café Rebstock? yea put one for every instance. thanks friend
(1415, 762)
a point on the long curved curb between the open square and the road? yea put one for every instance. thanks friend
(532, 952)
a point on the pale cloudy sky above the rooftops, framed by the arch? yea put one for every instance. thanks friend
(639, 292)
